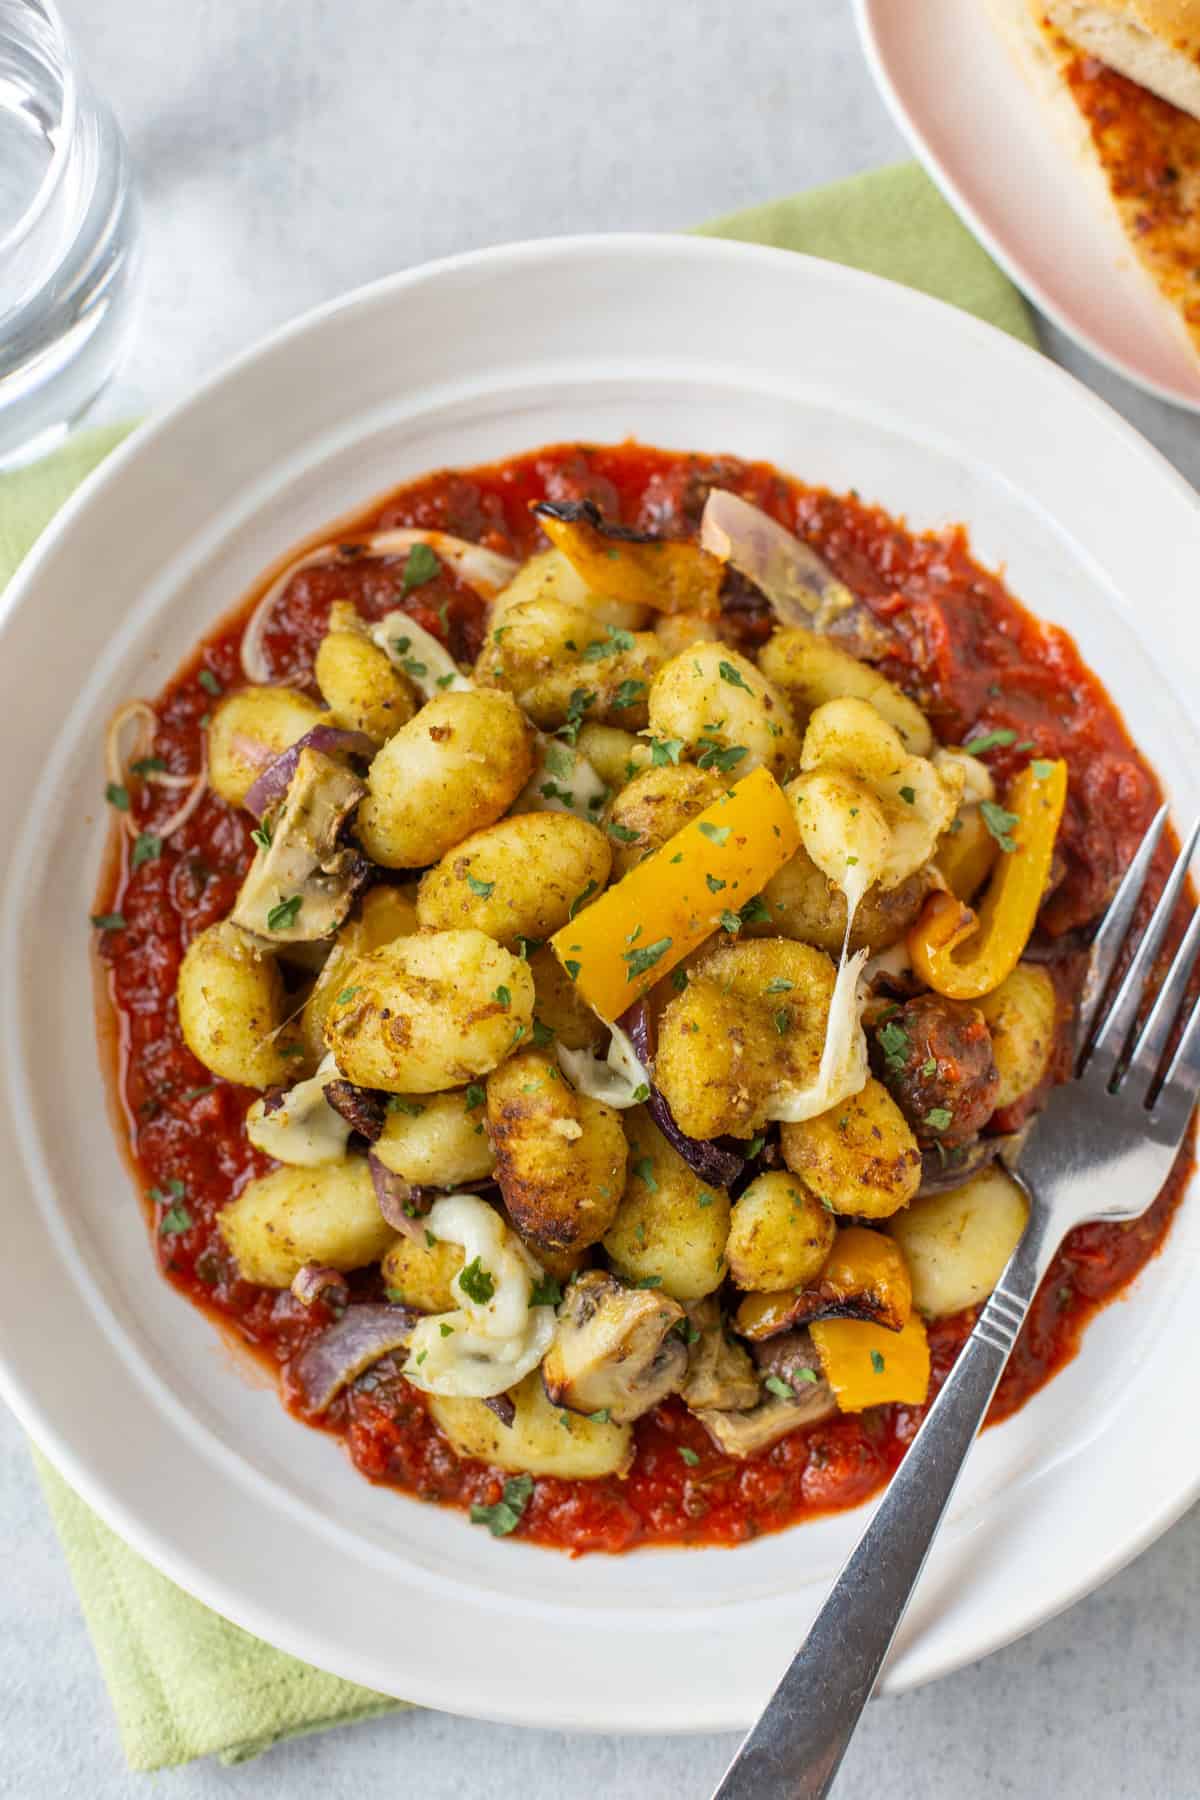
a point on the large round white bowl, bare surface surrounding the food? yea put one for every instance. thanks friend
(834, 375)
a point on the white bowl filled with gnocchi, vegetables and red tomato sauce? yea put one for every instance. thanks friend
(589, 903)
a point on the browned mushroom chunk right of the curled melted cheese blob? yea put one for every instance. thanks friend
(616, 1349)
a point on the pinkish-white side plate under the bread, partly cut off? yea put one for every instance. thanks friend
(992, 147)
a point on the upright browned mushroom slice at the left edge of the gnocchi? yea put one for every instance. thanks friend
(301, 885)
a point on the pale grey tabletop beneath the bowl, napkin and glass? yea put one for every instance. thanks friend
(292, 150)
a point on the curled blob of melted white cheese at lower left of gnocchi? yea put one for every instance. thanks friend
(483, 1347)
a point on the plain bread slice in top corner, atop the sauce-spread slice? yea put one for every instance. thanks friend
(1152, 42)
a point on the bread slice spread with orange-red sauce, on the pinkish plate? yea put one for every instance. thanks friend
(1140, 154)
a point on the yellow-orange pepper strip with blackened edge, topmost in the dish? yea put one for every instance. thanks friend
(661, 573)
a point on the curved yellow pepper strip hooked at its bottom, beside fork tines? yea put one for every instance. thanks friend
(965, 957)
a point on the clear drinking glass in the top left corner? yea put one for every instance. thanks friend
(69, 233)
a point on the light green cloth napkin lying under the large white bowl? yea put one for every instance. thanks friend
(183, 1680)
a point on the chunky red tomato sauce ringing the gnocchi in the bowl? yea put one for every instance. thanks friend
(960, 645)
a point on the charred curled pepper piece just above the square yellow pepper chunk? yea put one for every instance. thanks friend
(864, 1279)
